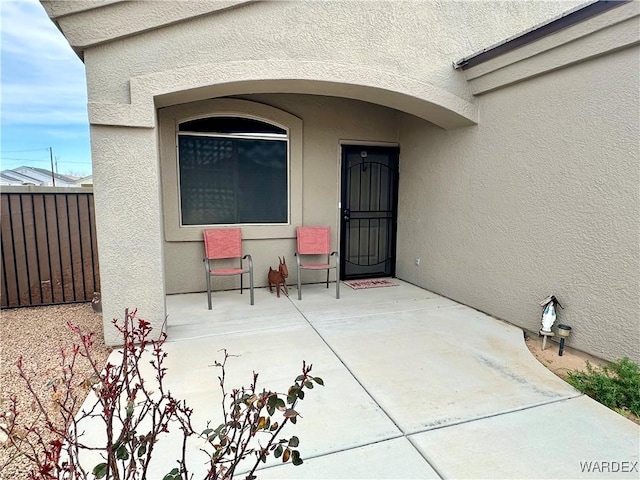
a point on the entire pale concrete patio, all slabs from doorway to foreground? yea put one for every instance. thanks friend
(416, 386)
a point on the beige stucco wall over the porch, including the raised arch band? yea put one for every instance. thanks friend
(300, 47)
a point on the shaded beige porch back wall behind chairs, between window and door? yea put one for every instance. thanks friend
(327, 121)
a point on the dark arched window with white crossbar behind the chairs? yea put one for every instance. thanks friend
(233, 170)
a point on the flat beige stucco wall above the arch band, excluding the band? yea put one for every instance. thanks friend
(410, 39)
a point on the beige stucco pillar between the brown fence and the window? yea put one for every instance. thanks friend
(128, 224)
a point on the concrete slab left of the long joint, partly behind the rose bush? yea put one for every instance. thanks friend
(277, 354)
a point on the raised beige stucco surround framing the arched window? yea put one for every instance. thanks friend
(169, 119)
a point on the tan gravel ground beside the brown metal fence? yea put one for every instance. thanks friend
(38, 334)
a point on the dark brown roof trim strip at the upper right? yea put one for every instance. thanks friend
(566, 20)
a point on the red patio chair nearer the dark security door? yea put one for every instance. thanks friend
(316, 241)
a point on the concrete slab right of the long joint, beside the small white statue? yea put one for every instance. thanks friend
(464, 367)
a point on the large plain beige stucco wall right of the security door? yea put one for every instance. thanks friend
(542, 197)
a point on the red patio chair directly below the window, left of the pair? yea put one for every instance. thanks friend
(222, 243)
